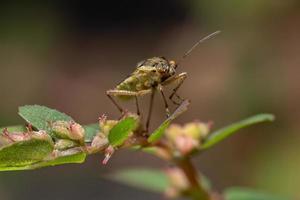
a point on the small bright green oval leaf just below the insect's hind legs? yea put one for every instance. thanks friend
(122, 130)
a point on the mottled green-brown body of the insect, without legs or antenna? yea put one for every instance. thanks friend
(148, 74)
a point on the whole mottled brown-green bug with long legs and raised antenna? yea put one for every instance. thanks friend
(152, 75)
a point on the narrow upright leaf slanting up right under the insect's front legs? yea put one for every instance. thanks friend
(158, 133)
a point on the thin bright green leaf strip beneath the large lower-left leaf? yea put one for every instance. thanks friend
(76, 158)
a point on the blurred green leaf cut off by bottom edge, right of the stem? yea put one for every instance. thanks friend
(237, 193)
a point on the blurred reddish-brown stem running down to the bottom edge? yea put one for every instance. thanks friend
(196, 191)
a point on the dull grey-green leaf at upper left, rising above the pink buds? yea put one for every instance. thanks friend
(41, 117)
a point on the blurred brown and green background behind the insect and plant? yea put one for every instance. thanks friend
(66, 54)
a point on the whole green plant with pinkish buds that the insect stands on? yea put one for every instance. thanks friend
(54, 138)
